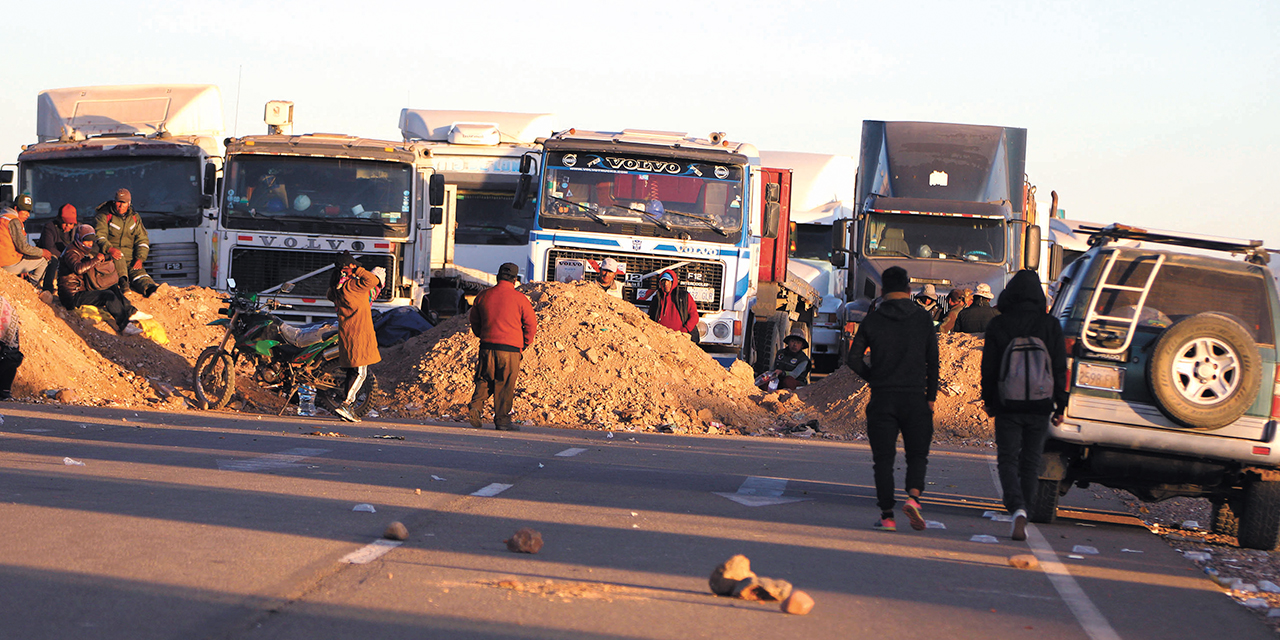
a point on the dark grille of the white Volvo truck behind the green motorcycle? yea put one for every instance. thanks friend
(257, 269)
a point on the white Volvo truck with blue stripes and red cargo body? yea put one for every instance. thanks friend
(653, 200)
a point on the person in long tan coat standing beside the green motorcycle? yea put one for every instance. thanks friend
(353, 294)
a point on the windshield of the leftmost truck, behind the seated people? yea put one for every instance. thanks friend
(166, 190)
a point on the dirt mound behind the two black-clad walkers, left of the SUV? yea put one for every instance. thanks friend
(958, 417)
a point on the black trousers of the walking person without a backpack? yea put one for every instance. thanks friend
(890, 414)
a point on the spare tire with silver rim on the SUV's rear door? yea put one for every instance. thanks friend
(1205, 372)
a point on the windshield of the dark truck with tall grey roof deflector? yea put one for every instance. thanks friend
(936, 237)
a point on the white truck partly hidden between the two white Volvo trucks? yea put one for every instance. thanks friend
(478, 153)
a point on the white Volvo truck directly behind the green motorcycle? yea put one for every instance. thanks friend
(292, 203)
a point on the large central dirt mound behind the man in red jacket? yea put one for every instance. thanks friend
(597, 363)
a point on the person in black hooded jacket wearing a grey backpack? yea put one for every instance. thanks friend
(1023, 388)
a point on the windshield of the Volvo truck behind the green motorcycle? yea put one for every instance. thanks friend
(318, 195)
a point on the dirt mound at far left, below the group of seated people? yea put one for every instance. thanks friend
(66, 351)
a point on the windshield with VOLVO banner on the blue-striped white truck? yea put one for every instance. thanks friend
(642, 196)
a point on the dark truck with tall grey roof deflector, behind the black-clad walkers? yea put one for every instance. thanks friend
(948, 203)
